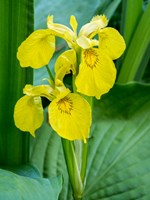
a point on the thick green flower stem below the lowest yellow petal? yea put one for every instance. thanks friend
(73, 169)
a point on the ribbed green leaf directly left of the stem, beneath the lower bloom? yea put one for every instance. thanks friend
(47, 155)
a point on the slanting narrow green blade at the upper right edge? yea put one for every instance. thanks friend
(136, 50)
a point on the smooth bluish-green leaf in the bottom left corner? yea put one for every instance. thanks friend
(15, 187)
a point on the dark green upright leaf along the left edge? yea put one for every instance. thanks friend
(16, 22)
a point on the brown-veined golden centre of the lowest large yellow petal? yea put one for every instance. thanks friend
(65, 105)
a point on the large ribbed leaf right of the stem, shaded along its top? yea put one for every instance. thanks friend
(119, 159)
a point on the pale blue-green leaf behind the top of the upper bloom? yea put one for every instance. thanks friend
(63, 9)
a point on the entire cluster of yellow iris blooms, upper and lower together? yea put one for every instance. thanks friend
(90, 58)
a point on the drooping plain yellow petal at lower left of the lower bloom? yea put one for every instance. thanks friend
(28, 114)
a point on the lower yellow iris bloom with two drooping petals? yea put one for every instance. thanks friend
(69, 113)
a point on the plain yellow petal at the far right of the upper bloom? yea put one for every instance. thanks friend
(111, 42)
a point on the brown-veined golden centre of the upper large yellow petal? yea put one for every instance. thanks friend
(91, 58)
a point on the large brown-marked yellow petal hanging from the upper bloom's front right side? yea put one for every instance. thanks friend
(97, 73)
